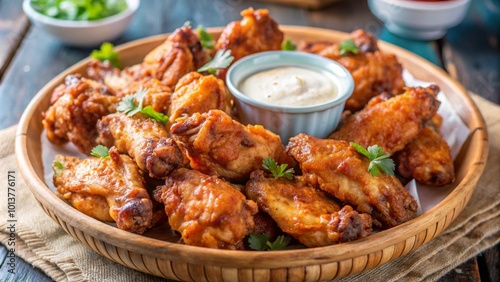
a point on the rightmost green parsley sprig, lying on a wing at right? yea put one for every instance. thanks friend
(378, 159)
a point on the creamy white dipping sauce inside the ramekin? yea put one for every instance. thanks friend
(289, 86)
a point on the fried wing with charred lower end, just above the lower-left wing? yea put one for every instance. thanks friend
(144, 140)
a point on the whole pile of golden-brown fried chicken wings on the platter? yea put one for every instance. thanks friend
(201, 172)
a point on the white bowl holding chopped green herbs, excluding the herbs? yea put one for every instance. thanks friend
(83, 33)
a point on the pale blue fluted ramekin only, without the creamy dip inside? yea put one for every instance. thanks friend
(318, 120)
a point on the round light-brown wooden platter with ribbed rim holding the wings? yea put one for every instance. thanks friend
(189, 263)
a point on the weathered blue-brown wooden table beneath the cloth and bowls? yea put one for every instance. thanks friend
(29, 58)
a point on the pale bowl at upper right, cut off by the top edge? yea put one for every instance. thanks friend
(419, 19)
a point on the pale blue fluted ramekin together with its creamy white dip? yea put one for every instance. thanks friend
(290, 92)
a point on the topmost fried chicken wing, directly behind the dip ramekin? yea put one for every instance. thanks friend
(256, 32)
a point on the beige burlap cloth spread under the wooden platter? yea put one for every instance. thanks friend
(41, 242)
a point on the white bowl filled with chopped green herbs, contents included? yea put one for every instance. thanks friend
(82, 23)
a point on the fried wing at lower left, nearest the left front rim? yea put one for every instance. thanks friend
(108, 189)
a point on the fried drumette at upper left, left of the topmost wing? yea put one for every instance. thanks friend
(180, 54)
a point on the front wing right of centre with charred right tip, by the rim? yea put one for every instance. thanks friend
(306, 213)
